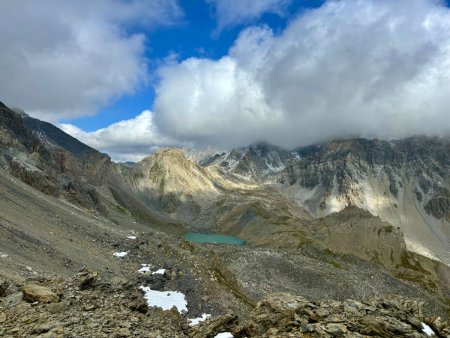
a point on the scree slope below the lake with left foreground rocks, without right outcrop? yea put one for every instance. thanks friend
(46, 241)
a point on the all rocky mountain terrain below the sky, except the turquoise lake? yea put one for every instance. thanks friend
(366, 220)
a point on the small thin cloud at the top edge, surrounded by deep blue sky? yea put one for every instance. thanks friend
(235, 12)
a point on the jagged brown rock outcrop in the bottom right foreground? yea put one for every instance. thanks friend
(285, 315)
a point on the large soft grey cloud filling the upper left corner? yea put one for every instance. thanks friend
(65, 58)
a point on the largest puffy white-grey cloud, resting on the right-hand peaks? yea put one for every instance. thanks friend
(372, 68)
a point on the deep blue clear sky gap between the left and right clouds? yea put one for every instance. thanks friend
(193, 36)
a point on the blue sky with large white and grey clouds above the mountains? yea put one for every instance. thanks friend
(131, 76)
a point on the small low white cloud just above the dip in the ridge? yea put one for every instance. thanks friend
(129, 140)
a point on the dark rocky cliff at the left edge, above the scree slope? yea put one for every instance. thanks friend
(51, 161)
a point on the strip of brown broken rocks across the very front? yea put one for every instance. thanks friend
(83, 306)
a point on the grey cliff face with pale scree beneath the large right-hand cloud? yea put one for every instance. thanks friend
(405, 183)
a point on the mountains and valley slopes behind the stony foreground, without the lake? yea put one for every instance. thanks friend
(353, 213)
